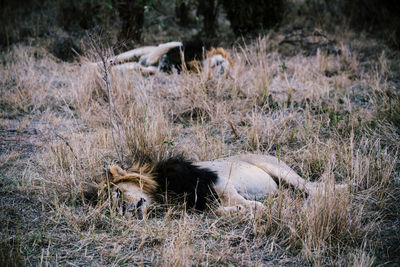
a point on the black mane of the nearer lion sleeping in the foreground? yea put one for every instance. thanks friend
(180, 180)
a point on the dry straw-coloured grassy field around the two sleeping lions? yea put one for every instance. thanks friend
(332, 116)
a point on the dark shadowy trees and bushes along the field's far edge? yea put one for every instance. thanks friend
(65, 23)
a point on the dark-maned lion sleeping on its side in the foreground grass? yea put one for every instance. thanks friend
(236, 182)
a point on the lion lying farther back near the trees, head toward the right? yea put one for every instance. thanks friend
(190, 55)
